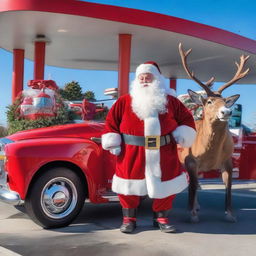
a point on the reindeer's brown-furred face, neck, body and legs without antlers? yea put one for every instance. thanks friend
(212, 149)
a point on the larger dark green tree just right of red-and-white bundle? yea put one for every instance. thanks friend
(72, 91)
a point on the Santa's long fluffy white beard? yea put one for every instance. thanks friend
(150, 100)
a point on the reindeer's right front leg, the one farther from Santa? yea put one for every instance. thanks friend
(227, 180)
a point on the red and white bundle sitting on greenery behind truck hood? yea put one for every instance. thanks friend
(39, 100)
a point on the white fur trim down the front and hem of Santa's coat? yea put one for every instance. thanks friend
(152, 185)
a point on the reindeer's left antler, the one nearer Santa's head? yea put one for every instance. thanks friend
(205, 86)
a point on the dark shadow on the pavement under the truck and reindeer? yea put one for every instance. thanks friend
(95, 217)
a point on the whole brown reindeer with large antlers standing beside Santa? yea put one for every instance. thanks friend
(213, 146)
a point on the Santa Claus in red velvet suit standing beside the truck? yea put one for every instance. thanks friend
(143, 129)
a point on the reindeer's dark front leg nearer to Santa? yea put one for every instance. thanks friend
(191, 167)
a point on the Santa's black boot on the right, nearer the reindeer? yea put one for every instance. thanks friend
(161, 221)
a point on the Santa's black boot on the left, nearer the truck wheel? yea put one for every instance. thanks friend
(129, 220)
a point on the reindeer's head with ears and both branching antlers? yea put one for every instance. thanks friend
(215, 107)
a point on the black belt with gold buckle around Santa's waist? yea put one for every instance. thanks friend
(149, 142)
